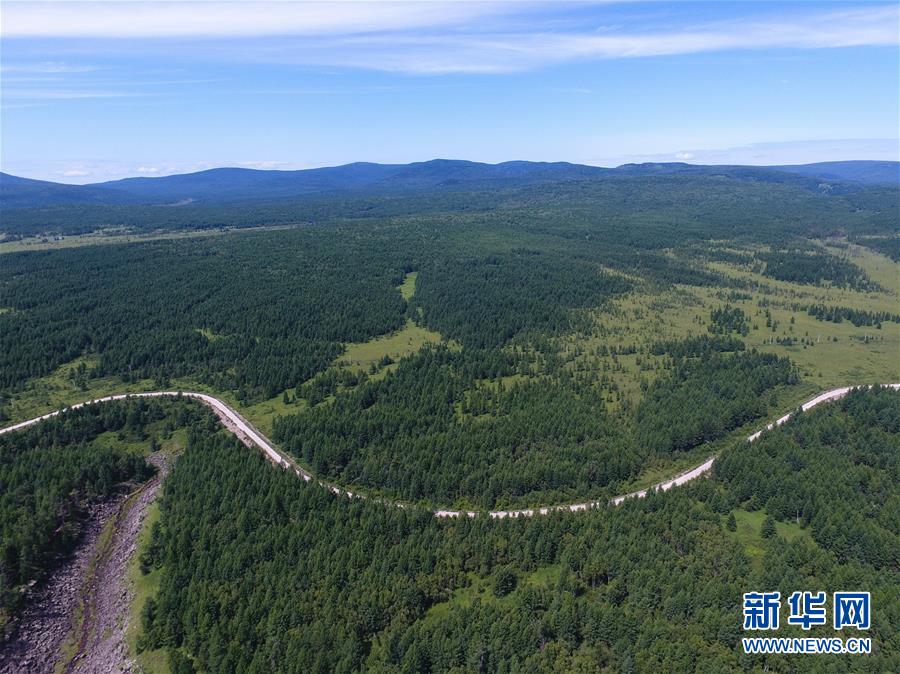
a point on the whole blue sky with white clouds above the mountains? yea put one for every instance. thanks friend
(93, 91)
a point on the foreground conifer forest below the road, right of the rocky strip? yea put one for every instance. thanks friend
(264, 573)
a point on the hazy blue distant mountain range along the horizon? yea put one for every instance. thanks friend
(225, 185)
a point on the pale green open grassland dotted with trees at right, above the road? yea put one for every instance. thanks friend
(828, 354)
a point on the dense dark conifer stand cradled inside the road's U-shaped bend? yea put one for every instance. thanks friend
(429, 430)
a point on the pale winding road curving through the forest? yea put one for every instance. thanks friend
(248, 434)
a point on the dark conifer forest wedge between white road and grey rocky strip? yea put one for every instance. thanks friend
(52, 472)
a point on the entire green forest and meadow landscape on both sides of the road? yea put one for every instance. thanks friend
(480, 350)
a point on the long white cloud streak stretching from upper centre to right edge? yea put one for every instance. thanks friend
(430, 54)
